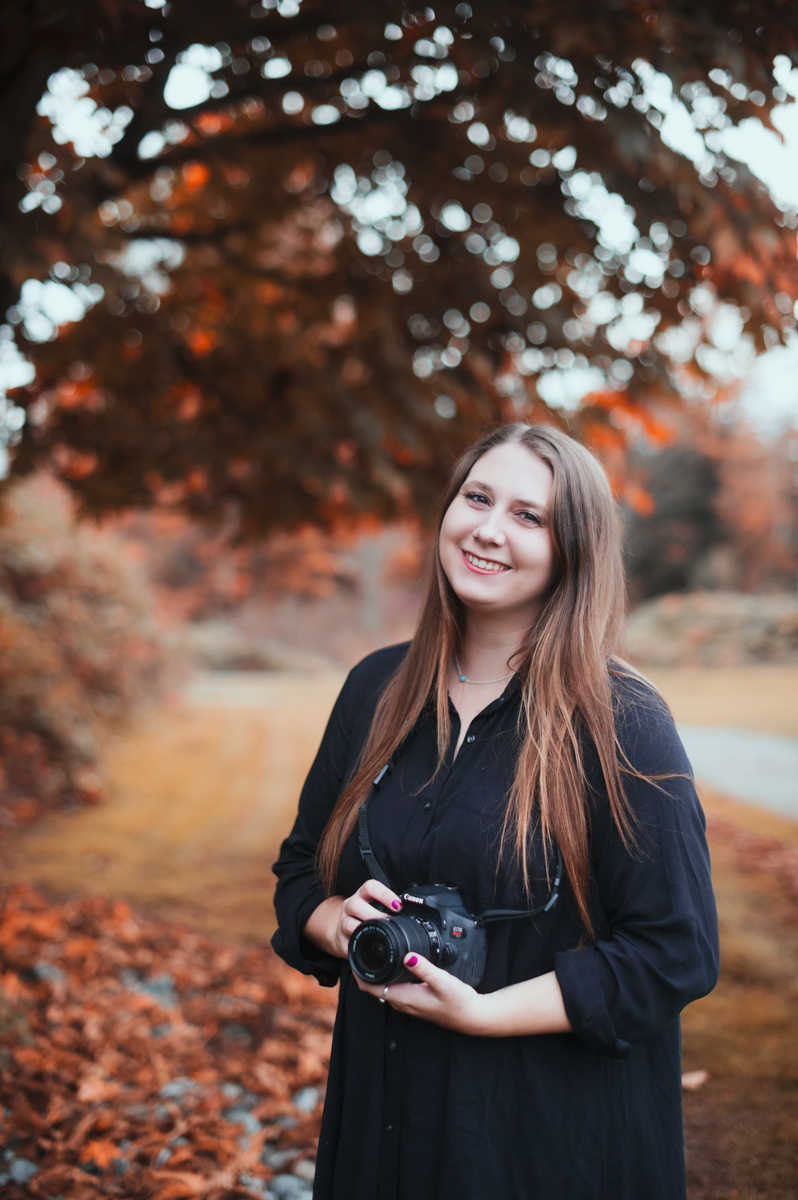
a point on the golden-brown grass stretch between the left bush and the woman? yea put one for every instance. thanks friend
(200, 799)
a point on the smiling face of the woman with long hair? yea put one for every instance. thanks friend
(495, 543)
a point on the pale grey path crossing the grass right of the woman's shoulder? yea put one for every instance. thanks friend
(758, 769)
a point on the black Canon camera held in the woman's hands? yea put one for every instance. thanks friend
(434, 923)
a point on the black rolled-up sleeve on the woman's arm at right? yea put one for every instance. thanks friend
(659, 950)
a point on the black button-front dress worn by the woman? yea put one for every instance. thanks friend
(418, 1113)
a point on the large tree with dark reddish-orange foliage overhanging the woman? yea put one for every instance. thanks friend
(374, 233)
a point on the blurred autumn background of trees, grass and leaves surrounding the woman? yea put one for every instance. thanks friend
(266, 269)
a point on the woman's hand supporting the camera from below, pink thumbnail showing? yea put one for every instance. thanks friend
(440, 998)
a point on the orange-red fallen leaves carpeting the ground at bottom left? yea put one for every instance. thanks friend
(143, 1060)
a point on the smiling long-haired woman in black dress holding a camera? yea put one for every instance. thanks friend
(519, 735)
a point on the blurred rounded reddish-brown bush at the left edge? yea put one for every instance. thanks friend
(79, 651)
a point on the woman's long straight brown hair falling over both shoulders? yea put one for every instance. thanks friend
(565, 664)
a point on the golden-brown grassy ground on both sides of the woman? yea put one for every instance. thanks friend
(202, 793)
